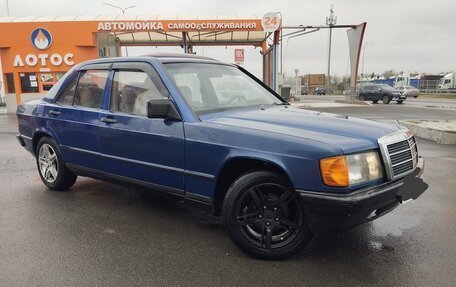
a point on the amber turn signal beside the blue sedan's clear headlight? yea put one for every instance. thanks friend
(334, 171)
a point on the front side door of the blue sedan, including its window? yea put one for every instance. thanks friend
(134, 147)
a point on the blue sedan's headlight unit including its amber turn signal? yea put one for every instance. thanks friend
(345, 170)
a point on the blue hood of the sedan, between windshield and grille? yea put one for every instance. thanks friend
(349, 134)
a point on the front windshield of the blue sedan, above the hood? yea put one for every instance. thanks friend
(215, 87)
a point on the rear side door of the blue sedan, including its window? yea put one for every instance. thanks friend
(74, 117)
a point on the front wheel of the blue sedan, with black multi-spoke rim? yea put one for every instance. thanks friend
(264, 217)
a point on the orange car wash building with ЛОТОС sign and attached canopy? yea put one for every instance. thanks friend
(36, 52)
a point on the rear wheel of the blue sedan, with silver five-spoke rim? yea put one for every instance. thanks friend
(49, 161)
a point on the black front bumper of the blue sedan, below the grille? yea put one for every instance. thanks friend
(331, 212)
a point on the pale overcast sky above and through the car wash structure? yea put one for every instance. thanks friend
(418, 35)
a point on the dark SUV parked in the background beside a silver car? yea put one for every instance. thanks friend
(380, 92)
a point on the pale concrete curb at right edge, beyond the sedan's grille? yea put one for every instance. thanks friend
(438, 135)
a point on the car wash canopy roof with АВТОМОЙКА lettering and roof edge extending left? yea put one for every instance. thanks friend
(199, 30)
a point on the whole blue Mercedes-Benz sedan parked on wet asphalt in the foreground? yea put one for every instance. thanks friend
(213, 134)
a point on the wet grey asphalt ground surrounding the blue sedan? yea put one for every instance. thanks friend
(100, 234)
